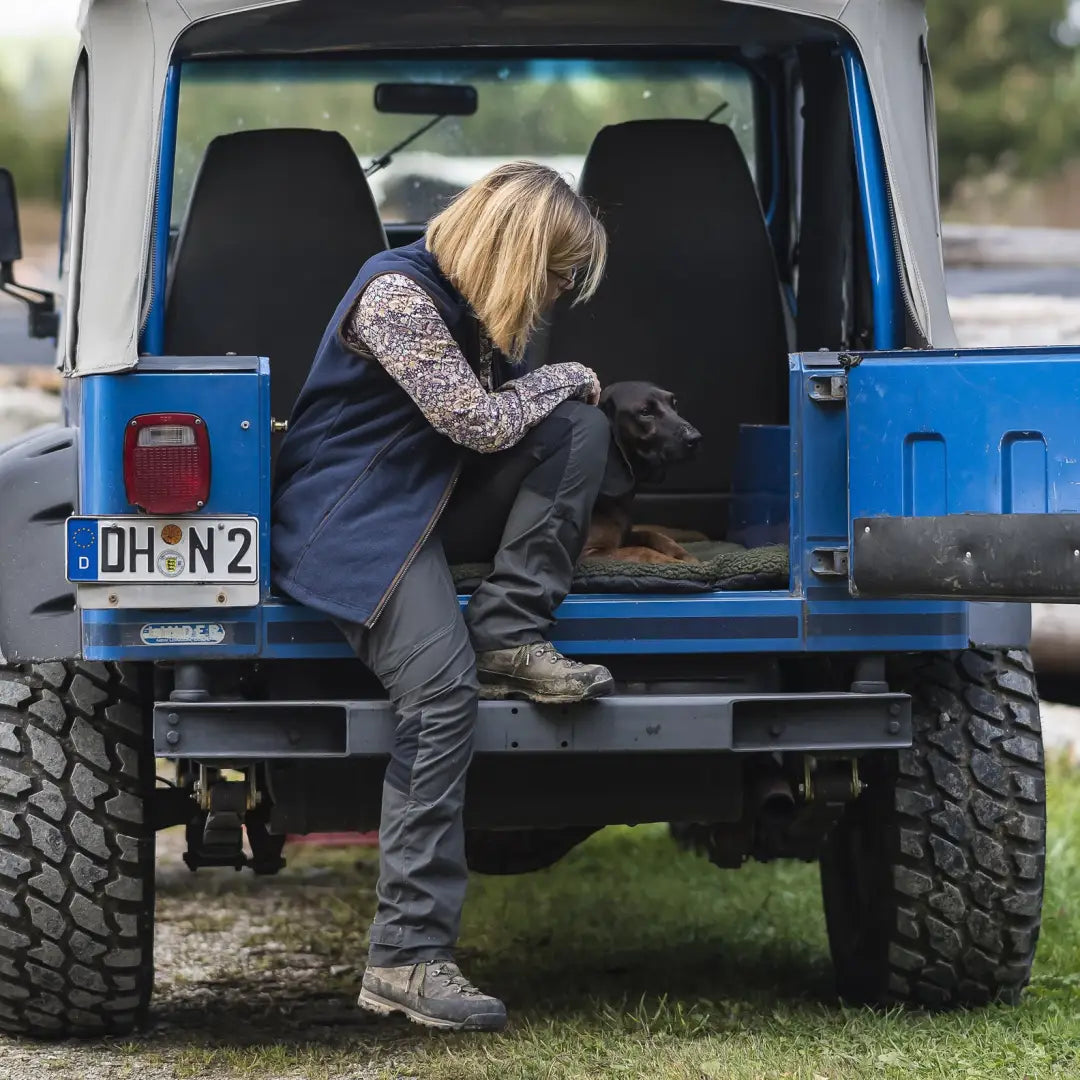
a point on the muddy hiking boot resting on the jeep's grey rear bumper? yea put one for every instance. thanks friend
(541, 673)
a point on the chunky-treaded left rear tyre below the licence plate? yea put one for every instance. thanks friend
(76, 850)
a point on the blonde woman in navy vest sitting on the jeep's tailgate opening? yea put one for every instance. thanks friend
(407, 450)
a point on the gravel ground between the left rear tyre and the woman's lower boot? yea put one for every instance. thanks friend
(246, 967)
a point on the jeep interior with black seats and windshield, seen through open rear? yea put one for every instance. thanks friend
(727, 185)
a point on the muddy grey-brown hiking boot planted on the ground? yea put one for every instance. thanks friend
(436, 995)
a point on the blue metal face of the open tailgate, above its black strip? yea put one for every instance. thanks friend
(979, 431)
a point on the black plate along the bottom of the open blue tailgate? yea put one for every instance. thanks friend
(950, 557)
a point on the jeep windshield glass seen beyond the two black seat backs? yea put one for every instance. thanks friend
(546, 111)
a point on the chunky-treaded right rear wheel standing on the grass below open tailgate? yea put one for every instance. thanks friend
(933, 881)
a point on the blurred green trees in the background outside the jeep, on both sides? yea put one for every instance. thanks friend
(1008, 87)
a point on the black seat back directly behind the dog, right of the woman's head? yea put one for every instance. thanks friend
(691, 300)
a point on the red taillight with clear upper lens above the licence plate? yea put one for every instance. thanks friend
(167, 463)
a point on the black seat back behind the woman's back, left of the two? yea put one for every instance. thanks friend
(279, 224)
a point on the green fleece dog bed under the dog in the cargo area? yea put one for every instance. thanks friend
(722, 566)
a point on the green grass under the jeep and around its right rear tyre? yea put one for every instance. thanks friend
(632, 961)
